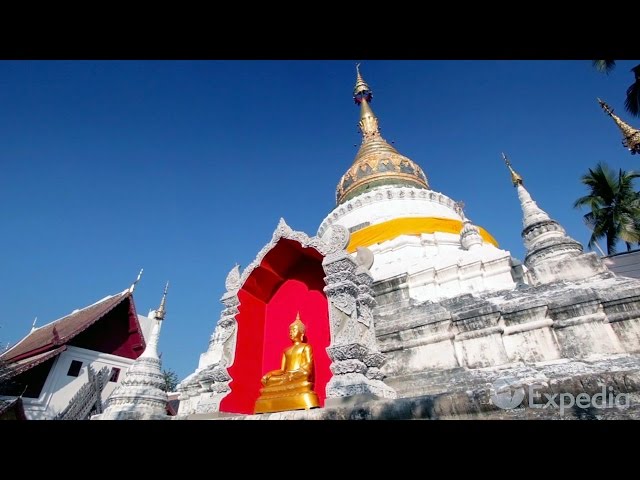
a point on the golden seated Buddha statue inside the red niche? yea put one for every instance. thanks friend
(291, 386)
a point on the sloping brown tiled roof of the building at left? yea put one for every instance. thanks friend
(62, 331)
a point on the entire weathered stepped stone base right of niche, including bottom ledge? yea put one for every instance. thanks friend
(565, 350)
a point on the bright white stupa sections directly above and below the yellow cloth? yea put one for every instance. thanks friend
(437, 265)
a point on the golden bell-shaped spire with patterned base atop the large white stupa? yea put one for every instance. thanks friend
(377, 163)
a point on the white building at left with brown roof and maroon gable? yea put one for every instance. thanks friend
(67, 369)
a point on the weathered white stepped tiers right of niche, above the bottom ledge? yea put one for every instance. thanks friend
(433, 348)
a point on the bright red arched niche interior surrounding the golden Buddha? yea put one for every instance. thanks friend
(290, 279)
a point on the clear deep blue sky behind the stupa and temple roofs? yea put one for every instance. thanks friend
(184, 168)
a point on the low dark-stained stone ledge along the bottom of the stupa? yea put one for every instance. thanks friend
(471, 397)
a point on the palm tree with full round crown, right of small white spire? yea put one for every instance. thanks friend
(614, 204)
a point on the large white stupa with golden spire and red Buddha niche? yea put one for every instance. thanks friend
(403, 307)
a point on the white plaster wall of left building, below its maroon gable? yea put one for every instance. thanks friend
(59, 388)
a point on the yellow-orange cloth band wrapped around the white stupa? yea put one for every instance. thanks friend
(391, 229)
